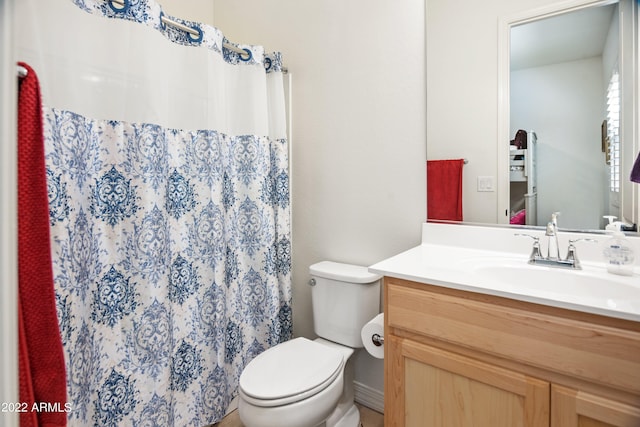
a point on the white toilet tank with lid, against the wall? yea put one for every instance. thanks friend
(344, 298)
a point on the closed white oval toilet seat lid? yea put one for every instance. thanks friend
(290, 372)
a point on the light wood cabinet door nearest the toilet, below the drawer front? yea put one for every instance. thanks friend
(436, 388)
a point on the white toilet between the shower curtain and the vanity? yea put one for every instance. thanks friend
(304, 383)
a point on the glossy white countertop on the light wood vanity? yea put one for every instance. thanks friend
(452, 266)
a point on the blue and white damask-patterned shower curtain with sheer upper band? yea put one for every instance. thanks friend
(171, 247)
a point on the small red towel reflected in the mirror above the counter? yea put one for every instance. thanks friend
(444, 189)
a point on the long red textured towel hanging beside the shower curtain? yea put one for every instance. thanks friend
(41, 359)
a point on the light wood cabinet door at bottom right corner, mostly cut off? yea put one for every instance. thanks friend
(573, 408)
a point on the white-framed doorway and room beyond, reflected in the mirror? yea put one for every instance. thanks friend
(569, 80)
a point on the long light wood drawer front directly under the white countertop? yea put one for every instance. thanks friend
(598, 353)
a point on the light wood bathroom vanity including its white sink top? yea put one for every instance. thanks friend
(462, 349)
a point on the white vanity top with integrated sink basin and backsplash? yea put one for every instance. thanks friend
(491, 261)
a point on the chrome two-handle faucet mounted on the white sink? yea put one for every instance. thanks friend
(553, 250)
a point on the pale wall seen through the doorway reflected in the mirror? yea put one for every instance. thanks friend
(563, 103)
